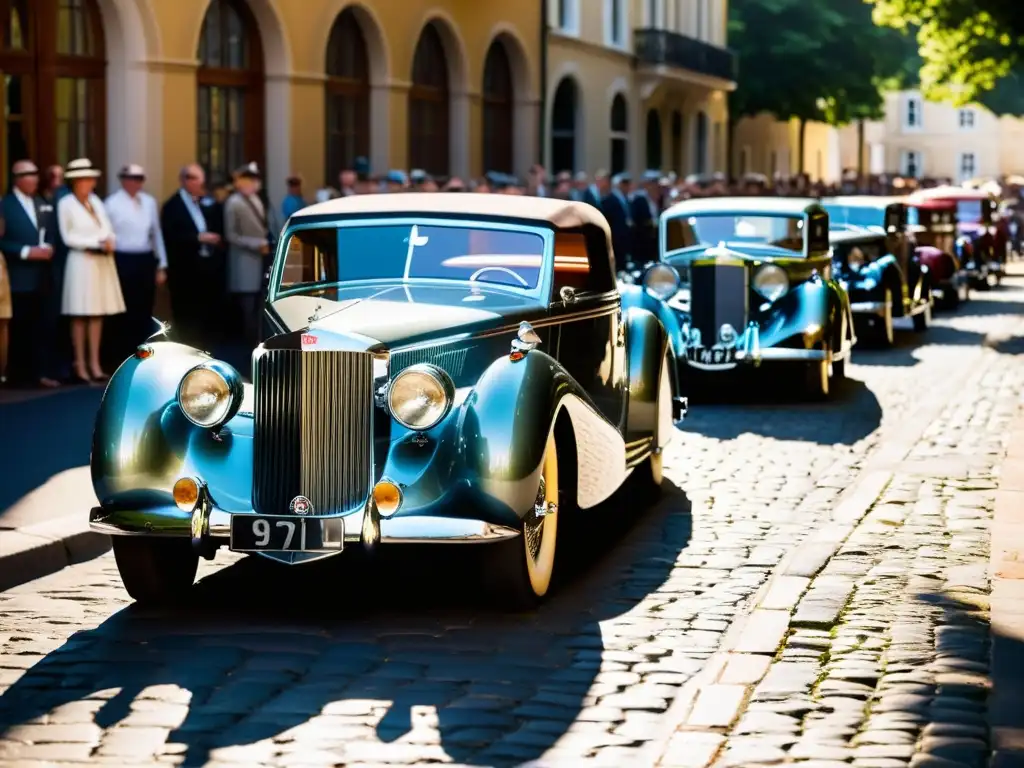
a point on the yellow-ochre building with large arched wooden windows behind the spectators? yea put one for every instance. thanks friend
(451, 87)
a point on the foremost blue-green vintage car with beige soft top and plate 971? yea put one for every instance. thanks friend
(442, 369)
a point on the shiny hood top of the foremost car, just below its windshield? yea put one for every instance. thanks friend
(404, 314)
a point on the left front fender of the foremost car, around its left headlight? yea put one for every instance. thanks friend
(143, 443)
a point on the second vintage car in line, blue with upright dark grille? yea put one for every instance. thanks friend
(748, 281)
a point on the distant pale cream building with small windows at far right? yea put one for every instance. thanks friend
(928, 140)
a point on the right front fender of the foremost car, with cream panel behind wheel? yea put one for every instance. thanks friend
(508, 419)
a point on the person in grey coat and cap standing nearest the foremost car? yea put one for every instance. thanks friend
(248, 236)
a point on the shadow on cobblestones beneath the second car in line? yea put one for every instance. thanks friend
(850, 415)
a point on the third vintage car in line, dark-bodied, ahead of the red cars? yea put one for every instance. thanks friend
(875, 262)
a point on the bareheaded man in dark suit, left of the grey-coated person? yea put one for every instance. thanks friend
(194, 257)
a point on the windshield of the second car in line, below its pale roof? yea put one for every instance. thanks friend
(778, 232)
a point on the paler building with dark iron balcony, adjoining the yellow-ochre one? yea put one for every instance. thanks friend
(637, 84)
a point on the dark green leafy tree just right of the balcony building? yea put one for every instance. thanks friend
(809, 62)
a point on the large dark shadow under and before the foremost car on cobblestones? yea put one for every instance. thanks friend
(367, 659)
